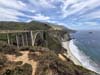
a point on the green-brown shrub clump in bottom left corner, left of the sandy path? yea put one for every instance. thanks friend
(25, 69)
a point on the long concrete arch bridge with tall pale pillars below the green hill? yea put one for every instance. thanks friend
(28, 37)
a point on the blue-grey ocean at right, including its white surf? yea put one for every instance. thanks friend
(86, 48)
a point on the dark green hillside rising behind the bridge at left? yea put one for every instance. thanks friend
(34, 25)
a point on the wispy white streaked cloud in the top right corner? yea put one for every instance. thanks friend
(71, 7)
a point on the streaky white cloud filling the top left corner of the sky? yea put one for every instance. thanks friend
(16, 5)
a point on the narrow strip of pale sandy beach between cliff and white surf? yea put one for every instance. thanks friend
(69, 53)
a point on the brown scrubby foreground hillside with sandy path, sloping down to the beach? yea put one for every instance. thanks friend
(37, 61)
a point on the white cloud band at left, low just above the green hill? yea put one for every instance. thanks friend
(6, 14)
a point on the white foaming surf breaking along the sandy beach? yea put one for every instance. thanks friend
(83, 58)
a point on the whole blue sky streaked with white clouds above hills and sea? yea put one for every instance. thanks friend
(74, 14)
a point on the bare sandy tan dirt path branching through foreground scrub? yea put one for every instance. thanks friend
(24, 58)
